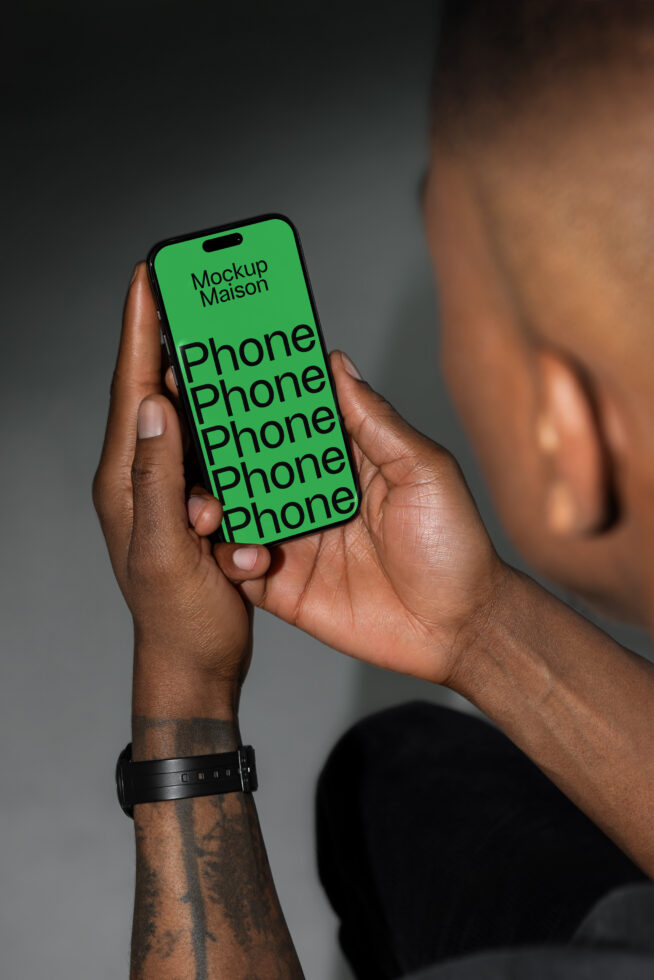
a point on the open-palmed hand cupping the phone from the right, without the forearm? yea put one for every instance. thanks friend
(409, 584)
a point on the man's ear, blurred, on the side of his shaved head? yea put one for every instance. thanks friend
(578, 490)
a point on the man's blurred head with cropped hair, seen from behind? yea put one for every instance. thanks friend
(539, 206)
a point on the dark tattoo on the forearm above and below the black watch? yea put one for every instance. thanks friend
(227, 876)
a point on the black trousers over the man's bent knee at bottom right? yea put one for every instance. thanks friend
(438, 838)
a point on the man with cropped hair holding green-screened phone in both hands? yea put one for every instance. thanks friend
(438, 837)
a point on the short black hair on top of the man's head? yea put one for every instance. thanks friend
(494, 55)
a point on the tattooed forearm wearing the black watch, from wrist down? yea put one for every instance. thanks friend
(205, 901)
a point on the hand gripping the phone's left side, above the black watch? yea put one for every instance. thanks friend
(192, 627)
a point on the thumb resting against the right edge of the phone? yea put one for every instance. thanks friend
(379, 431)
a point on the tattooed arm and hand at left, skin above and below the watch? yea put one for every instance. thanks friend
(205, 903)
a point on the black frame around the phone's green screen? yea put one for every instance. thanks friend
(171, 350)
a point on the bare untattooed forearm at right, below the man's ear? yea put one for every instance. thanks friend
(578, 703)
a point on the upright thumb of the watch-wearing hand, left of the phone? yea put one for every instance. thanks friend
(160, 515)
